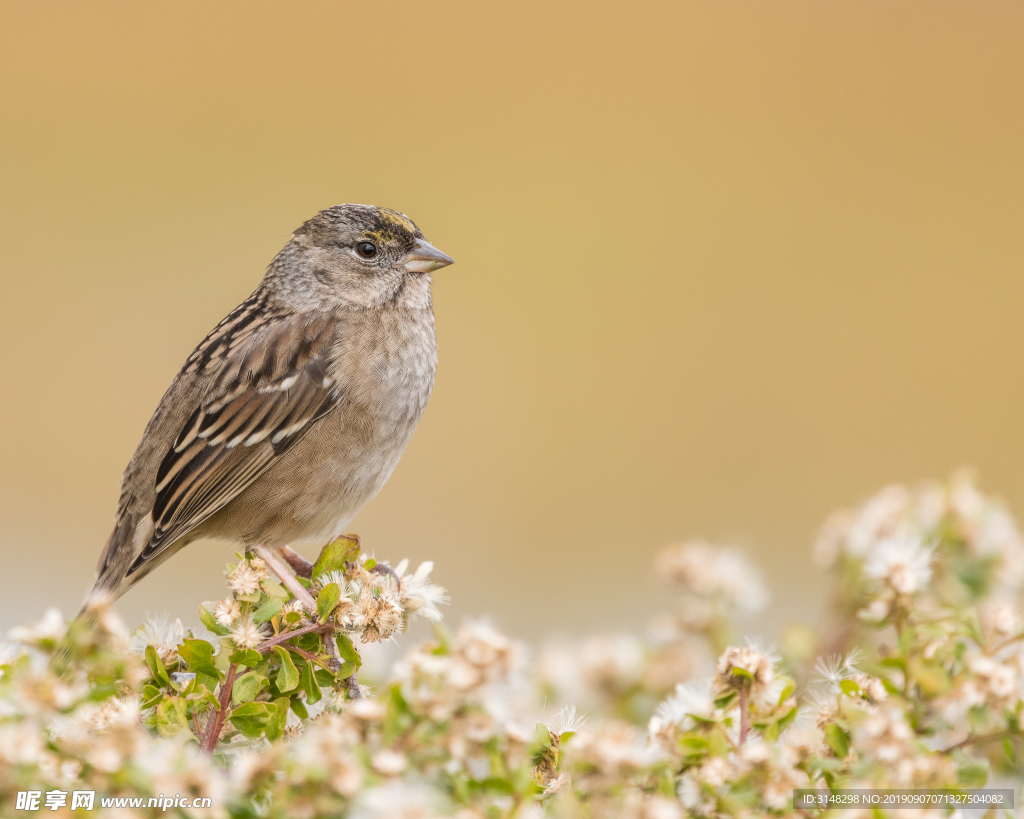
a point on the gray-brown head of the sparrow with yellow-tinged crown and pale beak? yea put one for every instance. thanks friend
(357, 256)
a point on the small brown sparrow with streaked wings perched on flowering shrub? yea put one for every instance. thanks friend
(292, 414)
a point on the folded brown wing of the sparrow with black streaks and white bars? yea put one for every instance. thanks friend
(270, 391)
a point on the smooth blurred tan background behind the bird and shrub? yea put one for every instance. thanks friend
(721, 269)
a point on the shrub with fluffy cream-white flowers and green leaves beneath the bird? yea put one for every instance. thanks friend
(917, 682)
